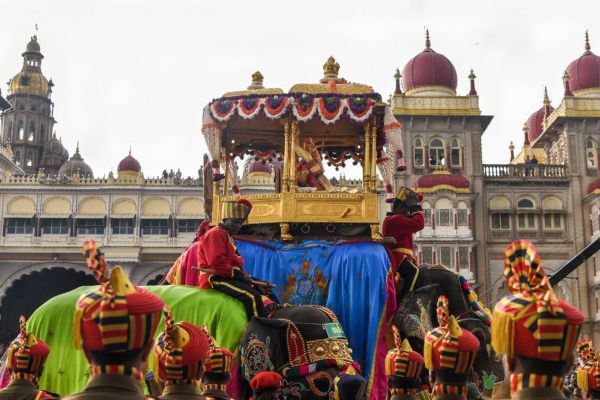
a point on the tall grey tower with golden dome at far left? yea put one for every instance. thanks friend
(28, 124)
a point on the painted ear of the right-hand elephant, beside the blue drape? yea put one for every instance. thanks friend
(413, 318)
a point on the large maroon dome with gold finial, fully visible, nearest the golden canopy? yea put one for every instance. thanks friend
(429, 69)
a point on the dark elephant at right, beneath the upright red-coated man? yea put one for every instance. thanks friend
(416, 315)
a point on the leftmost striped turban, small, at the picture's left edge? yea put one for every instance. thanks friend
(26, 354)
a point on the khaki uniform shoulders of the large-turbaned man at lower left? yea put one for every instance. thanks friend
(103, 387)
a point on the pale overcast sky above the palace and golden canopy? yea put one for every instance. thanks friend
(139, 72)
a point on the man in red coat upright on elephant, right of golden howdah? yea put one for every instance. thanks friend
(405, 219)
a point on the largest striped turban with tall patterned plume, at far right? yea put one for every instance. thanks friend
(531, 321)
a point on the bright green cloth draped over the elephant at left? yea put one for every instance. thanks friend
(67, 370)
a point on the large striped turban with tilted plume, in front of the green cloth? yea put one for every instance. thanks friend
(118, 316)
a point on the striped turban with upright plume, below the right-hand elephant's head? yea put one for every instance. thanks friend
(448, 346)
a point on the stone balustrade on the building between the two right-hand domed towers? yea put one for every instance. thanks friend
(525, 171)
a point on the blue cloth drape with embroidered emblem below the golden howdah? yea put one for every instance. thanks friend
(349, 279)
